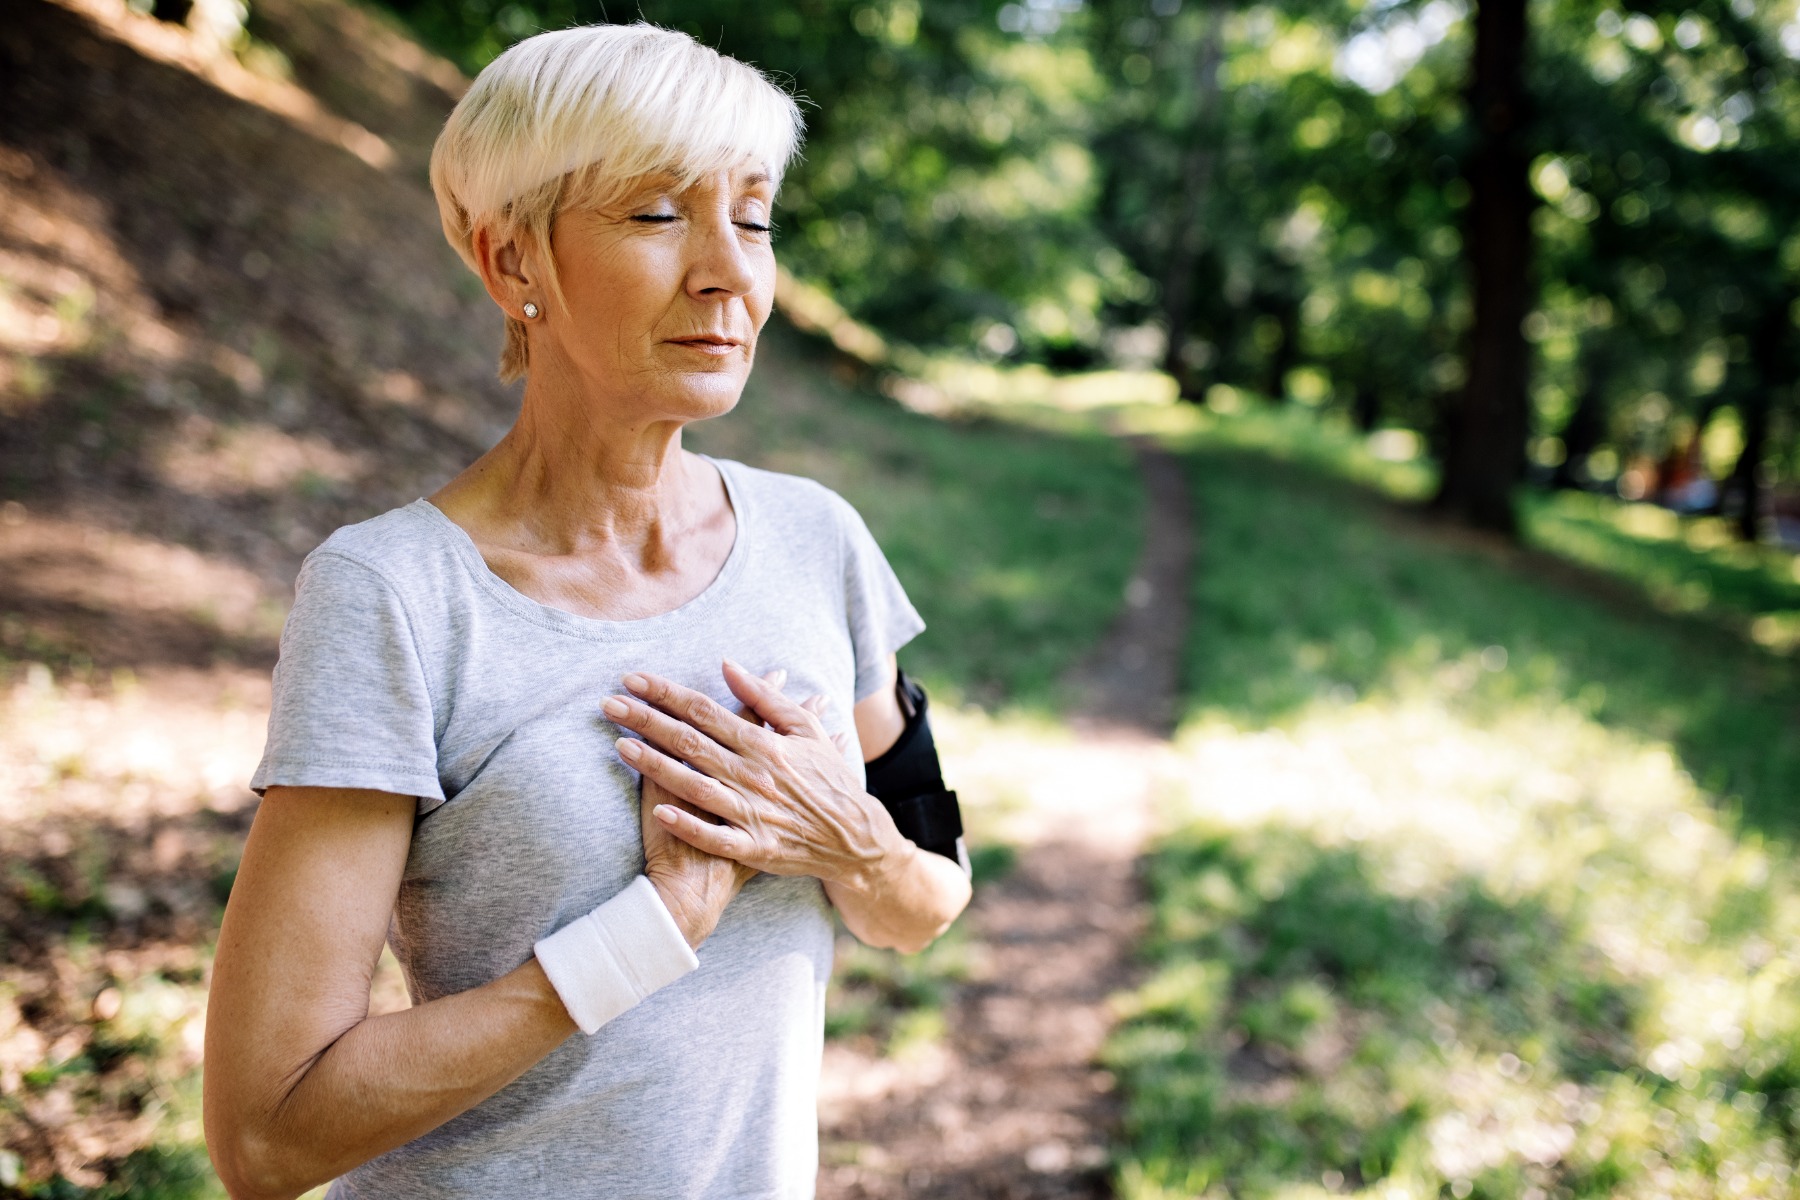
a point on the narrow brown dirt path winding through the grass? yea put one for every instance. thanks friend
(1012, 1106)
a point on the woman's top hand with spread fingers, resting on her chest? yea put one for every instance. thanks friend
(789, 800)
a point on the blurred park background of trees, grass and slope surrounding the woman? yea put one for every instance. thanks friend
(1347, 451)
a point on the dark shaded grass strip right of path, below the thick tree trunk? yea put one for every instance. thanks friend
(1306, 593)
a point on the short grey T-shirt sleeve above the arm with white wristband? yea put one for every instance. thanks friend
(352, 708)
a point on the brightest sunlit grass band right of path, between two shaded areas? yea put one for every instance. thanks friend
(1534, 805)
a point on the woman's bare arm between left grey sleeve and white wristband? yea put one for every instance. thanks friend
(301, 1084)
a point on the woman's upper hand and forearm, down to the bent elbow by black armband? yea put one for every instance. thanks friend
(789, 803)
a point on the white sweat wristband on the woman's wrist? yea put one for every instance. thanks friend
(616, 956)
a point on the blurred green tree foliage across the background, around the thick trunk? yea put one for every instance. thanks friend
(1047, 183)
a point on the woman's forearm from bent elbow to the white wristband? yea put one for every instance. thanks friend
(386, 1082)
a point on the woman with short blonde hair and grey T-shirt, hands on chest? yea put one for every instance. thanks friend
(510, 731)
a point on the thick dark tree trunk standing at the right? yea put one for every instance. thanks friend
(1488, 440)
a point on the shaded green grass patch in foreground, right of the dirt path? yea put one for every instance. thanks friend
(1309, 1025)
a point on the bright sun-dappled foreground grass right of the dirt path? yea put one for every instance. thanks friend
(1405, 949)
